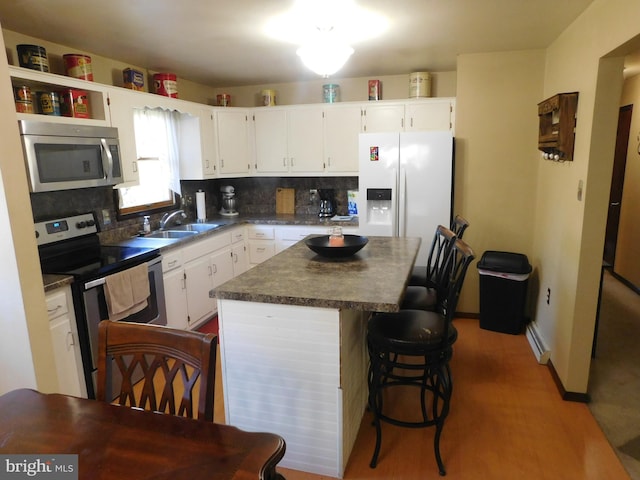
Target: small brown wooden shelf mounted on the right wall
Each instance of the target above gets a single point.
(557, 126)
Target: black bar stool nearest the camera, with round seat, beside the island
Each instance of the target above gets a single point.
(413, 348)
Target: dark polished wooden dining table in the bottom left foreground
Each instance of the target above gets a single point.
(115, 442)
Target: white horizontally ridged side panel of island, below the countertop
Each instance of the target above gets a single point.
(281, 374)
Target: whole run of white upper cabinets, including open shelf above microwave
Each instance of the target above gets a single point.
(218, 142)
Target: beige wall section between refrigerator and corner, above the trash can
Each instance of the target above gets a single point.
(496, 154)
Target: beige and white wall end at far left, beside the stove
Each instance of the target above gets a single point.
(26, 353)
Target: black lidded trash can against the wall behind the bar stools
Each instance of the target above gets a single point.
(504, 278)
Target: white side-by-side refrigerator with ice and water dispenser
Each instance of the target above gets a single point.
(405, 185)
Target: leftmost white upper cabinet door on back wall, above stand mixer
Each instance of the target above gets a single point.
(232, 133)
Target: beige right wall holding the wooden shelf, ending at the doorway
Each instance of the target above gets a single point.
(569, 232)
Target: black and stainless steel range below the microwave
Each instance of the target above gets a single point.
(70, 246)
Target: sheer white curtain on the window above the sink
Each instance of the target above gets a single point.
(157, 136)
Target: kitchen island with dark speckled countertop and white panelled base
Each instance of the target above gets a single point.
(293, 350)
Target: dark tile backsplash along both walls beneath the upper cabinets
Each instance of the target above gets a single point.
(255, 195)
